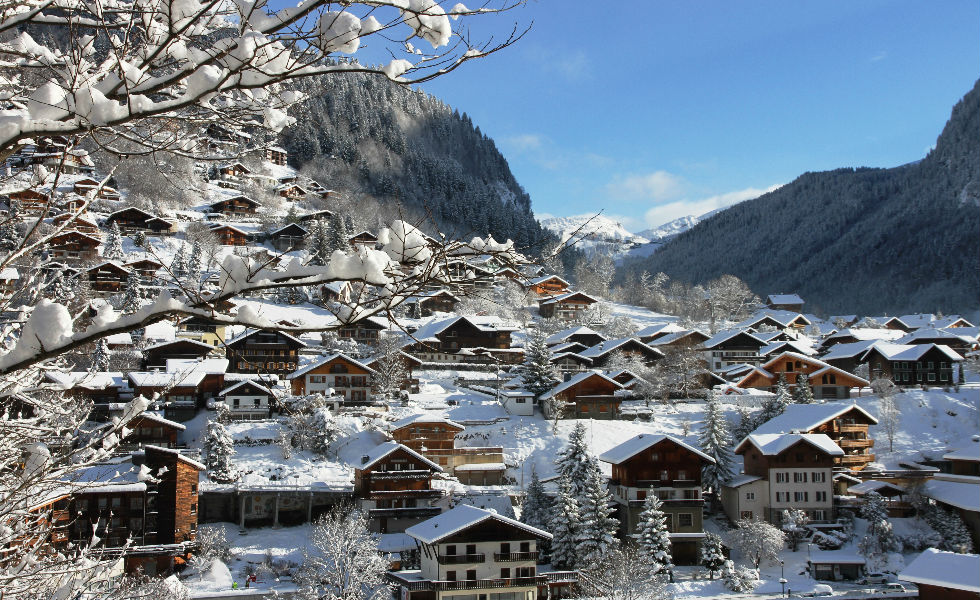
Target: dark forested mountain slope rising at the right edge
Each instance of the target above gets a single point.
(863, 240)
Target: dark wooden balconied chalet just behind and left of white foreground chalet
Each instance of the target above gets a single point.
(393, 484)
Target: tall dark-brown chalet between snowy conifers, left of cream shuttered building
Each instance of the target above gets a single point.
(668, 468)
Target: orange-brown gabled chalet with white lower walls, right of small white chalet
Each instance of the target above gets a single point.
(347, 377)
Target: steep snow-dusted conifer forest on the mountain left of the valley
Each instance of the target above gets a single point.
(368, 135)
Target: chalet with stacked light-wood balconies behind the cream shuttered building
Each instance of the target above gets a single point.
(845, 424)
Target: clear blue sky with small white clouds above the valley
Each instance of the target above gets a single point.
(654, 110)
